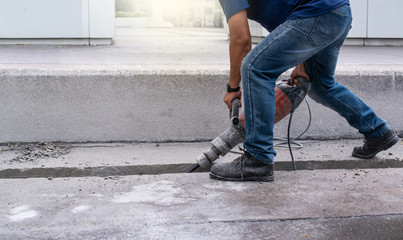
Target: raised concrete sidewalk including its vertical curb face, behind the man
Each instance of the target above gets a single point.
(159, 85)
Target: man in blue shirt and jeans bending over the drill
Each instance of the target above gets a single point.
(307, 35)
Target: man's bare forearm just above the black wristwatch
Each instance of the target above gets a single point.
(238, 50)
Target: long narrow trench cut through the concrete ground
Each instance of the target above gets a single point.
(102, 171)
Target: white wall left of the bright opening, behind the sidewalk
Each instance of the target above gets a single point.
(57, 19)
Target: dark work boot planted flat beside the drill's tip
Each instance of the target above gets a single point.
(244, 168)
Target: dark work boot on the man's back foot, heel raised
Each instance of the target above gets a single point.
(372, 147)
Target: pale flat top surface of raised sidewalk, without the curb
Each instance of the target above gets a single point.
(176, 47)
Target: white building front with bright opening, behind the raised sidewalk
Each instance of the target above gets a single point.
(376, 22)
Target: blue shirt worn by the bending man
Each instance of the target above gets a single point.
(271, 13)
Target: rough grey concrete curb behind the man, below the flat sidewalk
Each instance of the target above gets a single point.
(159, 103)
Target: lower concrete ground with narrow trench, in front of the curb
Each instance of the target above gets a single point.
(91, 191)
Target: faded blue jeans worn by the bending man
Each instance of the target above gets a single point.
(315, 41)
